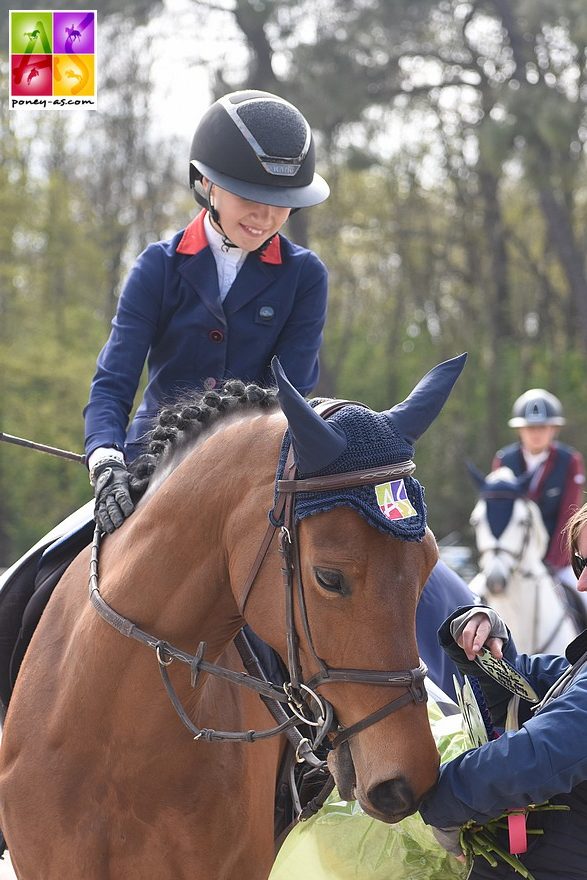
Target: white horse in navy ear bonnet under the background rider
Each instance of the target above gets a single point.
(512, 541)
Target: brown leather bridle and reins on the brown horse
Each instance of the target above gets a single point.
(306, 706)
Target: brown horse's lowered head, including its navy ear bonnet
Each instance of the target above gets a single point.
(364, 554)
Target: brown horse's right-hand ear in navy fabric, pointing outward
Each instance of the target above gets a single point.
(417, 412)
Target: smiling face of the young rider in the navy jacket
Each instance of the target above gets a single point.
(246, 224)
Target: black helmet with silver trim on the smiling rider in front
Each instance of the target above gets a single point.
(259, 147)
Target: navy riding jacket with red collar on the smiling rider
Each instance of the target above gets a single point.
(171, 316)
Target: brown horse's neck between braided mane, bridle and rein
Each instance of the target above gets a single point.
(169, 568)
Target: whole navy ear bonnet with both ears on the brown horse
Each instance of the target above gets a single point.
(355, 438)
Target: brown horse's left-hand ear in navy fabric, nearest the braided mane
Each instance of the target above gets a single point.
(316, 442)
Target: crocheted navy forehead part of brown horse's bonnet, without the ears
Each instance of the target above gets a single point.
(372, 441)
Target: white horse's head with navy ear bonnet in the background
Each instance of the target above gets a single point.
(509, 530)
